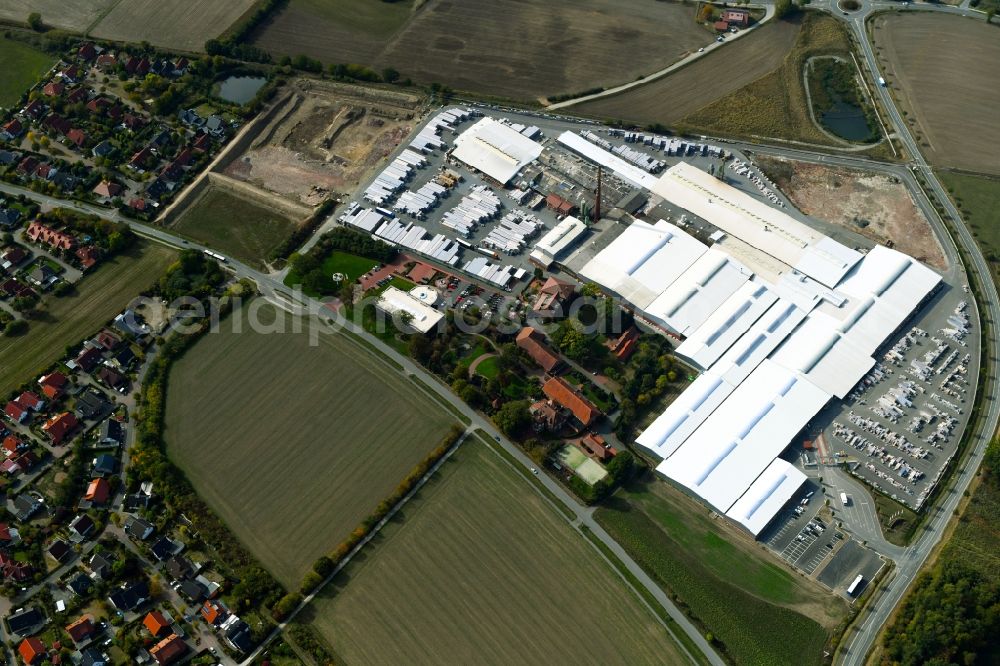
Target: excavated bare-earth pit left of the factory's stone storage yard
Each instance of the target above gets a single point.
(328, 137)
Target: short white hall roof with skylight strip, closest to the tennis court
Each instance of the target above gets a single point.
(685, 414)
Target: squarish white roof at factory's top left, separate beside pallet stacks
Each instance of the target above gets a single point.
(495, 149)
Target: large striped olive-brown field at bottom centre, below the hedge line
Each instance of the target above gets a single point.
(482, 569)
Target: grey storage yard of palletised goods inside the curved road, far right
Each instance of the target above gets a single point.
(901, 425)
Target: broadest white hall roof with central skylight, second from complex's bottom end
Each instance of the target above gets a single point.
(724, 456)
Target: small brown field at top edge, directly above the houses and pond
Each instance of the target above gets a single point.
(175, 24)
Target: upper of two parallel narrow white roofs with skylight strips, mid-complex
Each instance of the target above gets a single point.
(727, 324)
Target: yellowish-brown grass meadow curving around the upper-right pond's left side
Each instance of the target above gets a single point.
(775, 106)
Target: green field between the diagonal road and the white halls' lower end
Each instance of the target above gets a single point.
(725, 582)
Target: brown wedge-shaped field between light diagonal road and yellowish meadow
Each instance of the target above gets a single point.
(669, 99)
